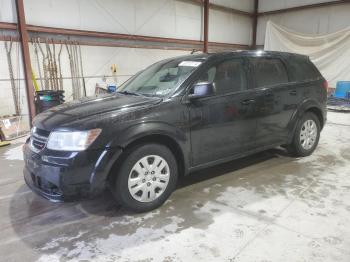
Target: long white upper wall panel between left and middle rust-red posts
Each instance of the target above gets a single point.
(162, 18)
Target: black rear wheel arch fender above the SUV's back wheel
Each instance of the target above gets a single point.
(299, 111)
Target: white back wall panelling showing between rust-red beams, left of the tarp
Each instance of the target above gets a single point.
(161, 18)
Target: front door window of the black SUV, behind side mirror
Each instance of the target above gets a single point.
(227, 76)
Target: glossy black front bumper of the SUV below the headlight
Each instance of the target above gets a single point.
(65, 176)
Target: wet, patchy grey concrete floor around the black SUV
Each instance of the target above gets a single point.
(266, 207)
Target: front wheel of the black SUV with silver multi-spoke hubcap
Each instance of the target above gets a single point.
(140, 184)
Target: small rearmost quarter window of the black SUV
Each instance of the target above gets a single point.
(303, 69)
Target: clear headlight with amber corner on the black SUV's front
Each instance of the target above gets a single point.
(72, 140)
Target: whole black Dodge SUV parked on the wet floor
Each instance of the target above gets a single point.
(176, 116)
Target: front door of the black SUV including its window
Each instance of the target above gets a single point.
(224, 124)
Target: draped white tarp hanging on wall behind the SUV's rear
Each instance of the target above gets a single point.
(330, 52)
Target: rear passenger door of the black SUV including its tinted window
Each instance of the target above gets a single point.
(277, 98)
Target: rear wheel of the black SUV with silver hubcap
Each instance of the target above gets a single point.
(306, 136)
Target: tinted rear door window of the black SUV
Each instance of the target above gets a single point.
(269, 71)
